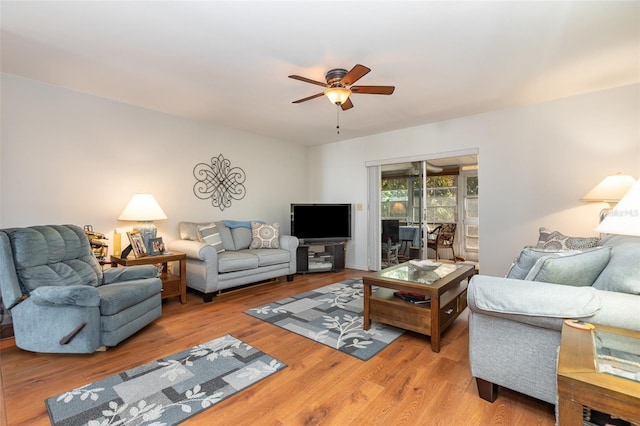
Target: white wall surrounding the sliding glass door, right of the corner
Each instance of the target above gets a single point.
(536, 162)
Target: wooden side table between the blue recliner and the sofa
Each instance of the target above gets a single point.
(172, 285)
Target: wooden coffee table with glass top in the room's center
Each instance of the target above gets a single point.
(445, 285)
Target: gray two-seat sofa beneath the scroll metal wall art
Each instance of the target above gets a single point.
(227, 260)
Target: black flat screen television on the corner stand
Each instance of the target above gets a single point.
(321, 222)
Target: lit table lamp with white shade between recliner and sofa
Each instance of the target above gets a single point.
(144, 209)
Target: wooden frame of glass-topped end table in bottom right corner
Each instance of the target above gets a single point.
(581, 384)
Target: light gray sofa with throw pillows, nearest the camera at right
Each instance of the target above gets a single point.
(515, 323)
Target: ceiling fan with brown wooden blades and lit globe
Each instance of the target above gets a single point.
(339, 86)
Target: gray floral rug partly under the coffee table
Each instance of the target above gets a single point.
(330, 315)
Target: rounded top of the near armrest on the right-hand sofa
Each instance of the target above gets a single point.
(531, 298)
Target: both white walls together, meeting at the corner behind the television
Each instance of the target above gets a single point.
(72, 158)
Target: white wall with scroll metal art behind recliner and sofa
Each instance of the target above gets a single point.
(68, 157)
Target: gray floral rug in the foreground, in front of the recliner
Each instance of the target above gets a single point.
(166, 391)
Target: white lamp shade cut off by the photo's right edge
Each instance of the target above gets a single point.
(624, 219)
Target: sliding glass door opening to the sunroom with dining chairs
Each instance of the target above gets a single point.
(421, 194)
